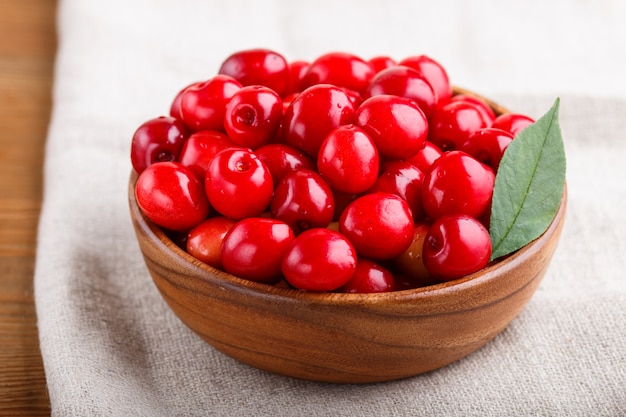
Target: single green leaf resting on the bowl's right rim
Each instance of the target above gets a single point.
(529, 185)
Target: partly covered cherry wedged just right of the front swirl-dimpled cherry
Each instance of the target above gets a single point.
(282, 159)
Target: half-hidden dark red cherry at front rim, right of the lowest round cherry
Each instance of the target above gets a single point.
(369, 277)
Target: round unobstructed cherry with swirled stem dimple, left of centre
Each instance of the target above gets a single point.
(238, 184)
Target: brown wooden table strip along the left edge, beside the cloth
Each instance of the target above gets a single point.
(27, 48)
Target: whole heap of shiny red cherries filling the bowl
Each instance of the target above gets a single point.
(339, 174)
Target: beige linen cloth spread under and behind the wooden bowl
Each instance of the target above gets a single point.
(110, 345)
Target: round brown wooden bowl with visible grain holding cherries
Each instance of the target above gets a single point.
(336, 337)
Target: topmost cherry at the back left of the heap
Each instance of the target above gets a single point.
(258, 67)
